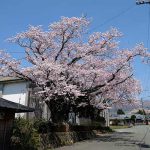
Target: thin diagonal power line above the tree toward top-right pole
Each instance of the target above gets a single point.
(112, 18)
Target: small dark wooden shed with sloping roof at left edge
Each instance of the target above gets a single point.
(7, 115)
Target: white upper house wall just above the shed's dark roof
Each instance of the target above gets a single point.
(15, 92)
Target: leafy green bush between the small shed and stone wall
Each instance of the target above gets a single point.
(24, 137)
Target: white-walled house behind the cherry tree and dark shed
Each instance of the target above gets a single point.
(20, 91)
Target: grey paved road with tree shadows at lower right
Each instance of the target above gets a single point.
(135, 138)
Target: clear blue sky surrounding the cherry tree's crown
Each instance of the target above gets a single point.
(129, 18)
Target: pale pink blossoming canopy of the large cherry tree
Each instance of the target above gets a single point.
(69, 65)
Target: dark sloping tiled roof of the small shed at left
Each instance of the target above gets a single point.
(16, 107)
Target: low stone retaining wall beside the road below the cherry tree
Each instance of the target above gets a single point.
(57, 139)
